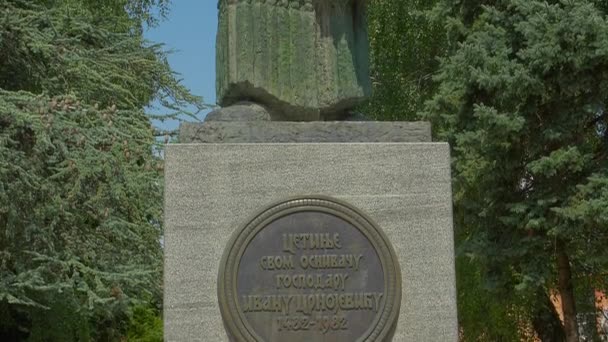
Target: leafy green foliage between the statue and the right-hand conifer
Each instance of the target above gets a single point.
(404, 45)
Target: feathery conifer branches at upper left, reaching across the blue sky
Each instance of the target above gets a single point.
(55, 51)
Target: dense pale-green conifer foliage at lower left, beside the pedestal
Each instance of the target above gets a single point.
(81, 199)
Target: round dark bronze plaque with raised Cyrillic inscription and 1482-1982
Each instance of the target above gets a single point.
(309, 269)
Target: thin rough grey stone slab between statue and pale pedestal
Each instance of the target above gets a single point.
(304, 132)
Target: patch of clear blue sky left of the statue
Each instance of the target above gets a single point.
(190, 31)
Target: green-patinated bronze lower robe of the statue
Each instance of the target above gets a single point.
(301, 59)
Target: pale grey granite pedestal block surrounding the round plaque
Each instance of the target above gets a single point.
(405, 188)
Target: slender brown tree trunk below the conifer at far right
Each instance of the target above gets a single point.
(566, 291)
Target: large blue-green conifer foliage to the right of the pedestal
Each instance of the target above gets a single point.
(522, 100)
